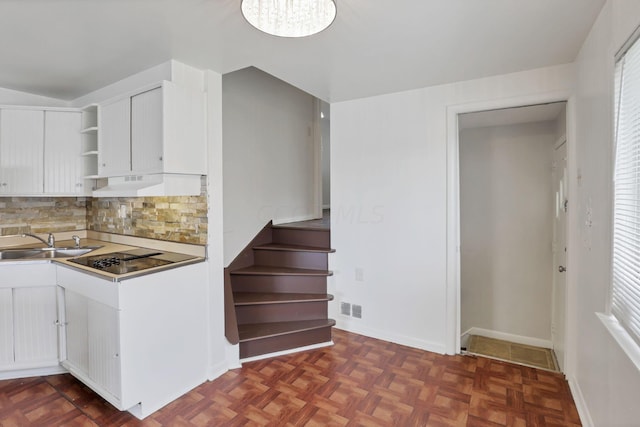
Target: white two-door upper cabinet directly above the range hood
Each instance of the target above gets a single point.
(161, 130)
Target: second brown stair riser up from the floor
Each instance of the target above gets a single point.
(268, 313)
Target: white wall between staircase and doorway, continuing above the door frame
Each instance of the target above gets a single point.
(389, 202)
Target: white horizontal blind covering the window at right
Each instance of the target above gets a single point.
(625, 299)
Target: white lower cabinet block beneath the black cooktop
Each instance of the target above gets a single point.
(139, 343)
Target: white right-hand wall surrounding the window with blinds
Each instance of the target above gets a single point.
(608, 384)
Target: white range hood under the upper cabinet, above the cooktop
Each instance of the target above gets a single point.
(150, 185)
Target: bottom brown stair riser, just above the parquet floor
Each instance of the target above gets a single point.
(284, 342)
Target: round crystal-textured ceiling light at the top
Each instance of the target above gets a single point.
(289, 18)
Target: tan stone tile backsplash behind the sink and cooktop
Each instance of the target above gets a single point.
(177, 219)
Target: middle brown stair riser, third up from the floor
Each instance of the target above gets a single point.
(276, 284)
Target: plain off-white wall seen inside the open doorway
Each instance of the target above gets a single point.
(506, 223)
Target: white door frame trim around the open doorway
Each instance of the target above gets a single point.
(453, 214)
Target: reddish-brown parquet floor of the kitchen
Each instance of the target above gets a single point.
(359, 381)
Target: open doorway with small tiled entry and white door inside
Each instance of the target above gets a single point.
(512, 205)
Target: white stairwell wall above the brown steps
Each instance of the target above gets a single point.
(268, 155)
